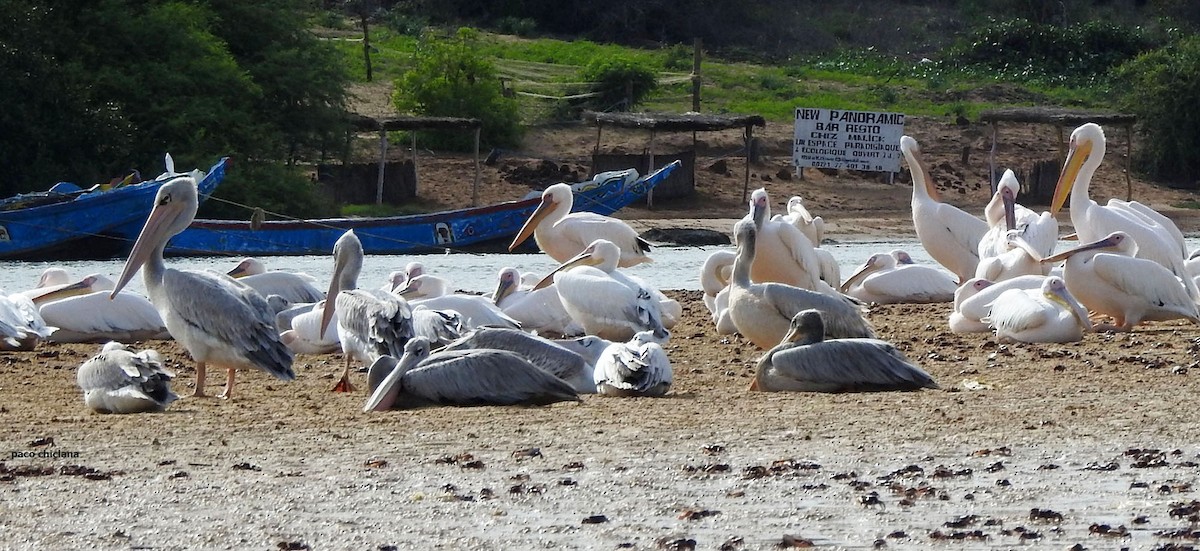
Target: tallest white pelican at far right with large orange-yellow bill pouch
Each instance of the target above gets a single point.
(1159, 239)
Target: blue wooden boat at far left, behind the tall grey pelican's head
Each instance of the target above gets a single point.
(74, 224)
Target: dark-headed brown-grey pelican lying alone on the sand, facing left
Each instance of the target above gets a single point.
(807, 363)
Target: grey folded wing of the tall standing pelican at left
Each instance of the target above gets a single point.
(214, 303)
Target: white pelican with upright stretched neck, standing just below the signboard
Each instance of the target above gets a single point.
(950, 236)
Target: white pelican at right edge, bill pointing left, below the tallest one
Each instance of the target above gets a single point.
(1108, 279)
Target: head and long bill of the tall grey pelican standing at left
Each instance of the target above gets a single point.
(175, 208)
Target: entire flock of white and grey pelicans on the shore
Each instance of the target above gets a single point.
(427, 346)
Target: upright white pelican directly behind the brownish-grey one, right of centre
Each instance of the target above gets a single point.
(785, 255)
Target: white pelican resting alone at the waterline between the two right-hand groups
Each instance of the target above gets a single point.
(883, 282)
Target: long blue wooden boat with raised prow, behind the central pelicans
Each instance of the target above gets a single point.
(452, 230)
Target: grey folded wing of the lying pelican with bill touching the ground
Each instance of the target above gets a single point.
(483, 378)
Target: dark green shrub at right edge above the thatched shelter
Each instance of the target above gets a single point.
(1163, 88)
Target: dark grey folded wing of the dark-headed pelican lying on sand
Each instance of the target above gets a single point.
(849, 366)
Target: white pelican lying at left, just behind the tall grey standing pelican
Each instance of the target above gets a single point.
(83, 313)
